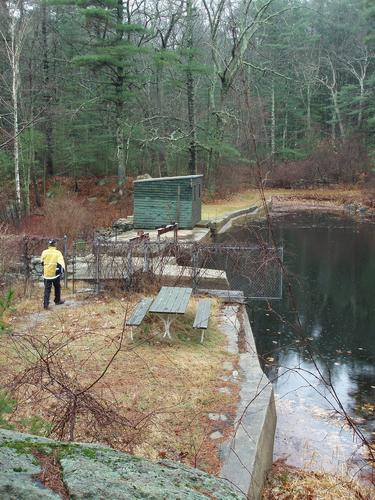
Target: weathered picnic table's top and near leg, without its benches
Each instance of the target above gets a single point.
(169, 302)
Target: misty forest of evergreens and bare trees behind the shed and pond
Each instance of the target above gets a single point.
(173, 87)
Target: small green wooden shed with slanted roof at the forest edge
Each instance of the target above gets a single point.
(165, 200)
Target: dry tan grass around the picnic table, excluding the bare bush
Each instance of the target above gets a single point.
(165, 389)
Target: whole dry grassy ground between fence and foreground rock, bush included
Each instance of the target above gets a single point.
(156, 396)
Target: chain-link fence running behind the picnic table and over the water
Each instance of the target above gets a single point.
(255, 270)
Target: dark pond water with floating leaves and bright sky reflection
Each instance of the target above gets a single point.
(330, 261)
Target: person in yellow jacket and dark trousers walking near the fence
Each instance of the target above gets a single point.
(53, 269)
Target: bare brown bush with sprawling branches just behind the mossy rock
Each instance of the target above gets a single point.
(75, 402)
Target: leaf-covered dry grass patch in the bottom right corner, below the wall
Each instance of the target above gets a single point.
(289, 483)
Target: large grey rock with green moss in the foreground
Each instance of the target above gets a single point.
(91, 471)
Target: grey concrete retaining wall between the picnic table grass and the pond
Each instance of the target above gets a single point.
(247, 456)
